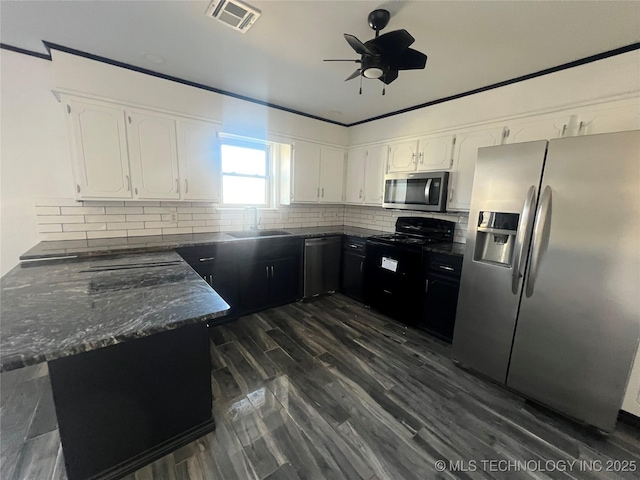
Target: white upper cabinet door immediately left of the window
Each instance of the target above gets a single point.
(198, 155)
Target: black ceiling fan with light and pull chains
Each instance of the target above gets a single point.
(383, 56)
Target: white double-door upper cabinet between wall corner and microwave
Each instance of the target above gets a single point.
(365, 175)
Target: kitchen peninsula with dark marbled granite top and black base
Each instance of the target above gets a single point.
(125, 338)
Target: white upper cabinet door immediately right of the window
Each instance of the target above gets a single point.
(306, 173)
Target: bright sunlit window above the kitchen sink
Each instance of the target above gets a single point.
(245, 172)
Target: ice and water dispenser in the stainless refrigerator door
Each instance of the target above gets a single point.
(495, 238)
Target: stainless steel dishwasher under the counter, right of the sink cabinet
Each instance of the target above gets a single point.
(321, 265)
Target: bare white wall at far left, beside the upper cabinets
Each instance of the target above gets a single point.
(34, 152)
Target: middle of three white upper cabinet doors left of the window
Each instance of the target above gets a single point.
(153, 154)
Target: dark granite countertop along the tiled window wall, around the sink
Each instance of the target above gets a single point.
(161, 243)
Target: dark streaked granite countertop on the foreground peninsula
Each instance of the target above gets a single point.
(63, 308)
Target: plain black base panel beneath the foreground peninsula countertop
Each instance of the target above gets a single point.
(121, 407)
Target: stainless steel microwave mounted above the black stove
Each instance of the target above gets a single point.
(416, 191)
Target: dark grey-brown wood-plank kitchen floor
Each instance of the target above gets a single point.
(330, 389)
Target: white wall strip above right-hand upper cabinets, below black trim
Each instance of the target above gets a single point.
(603, 79)
